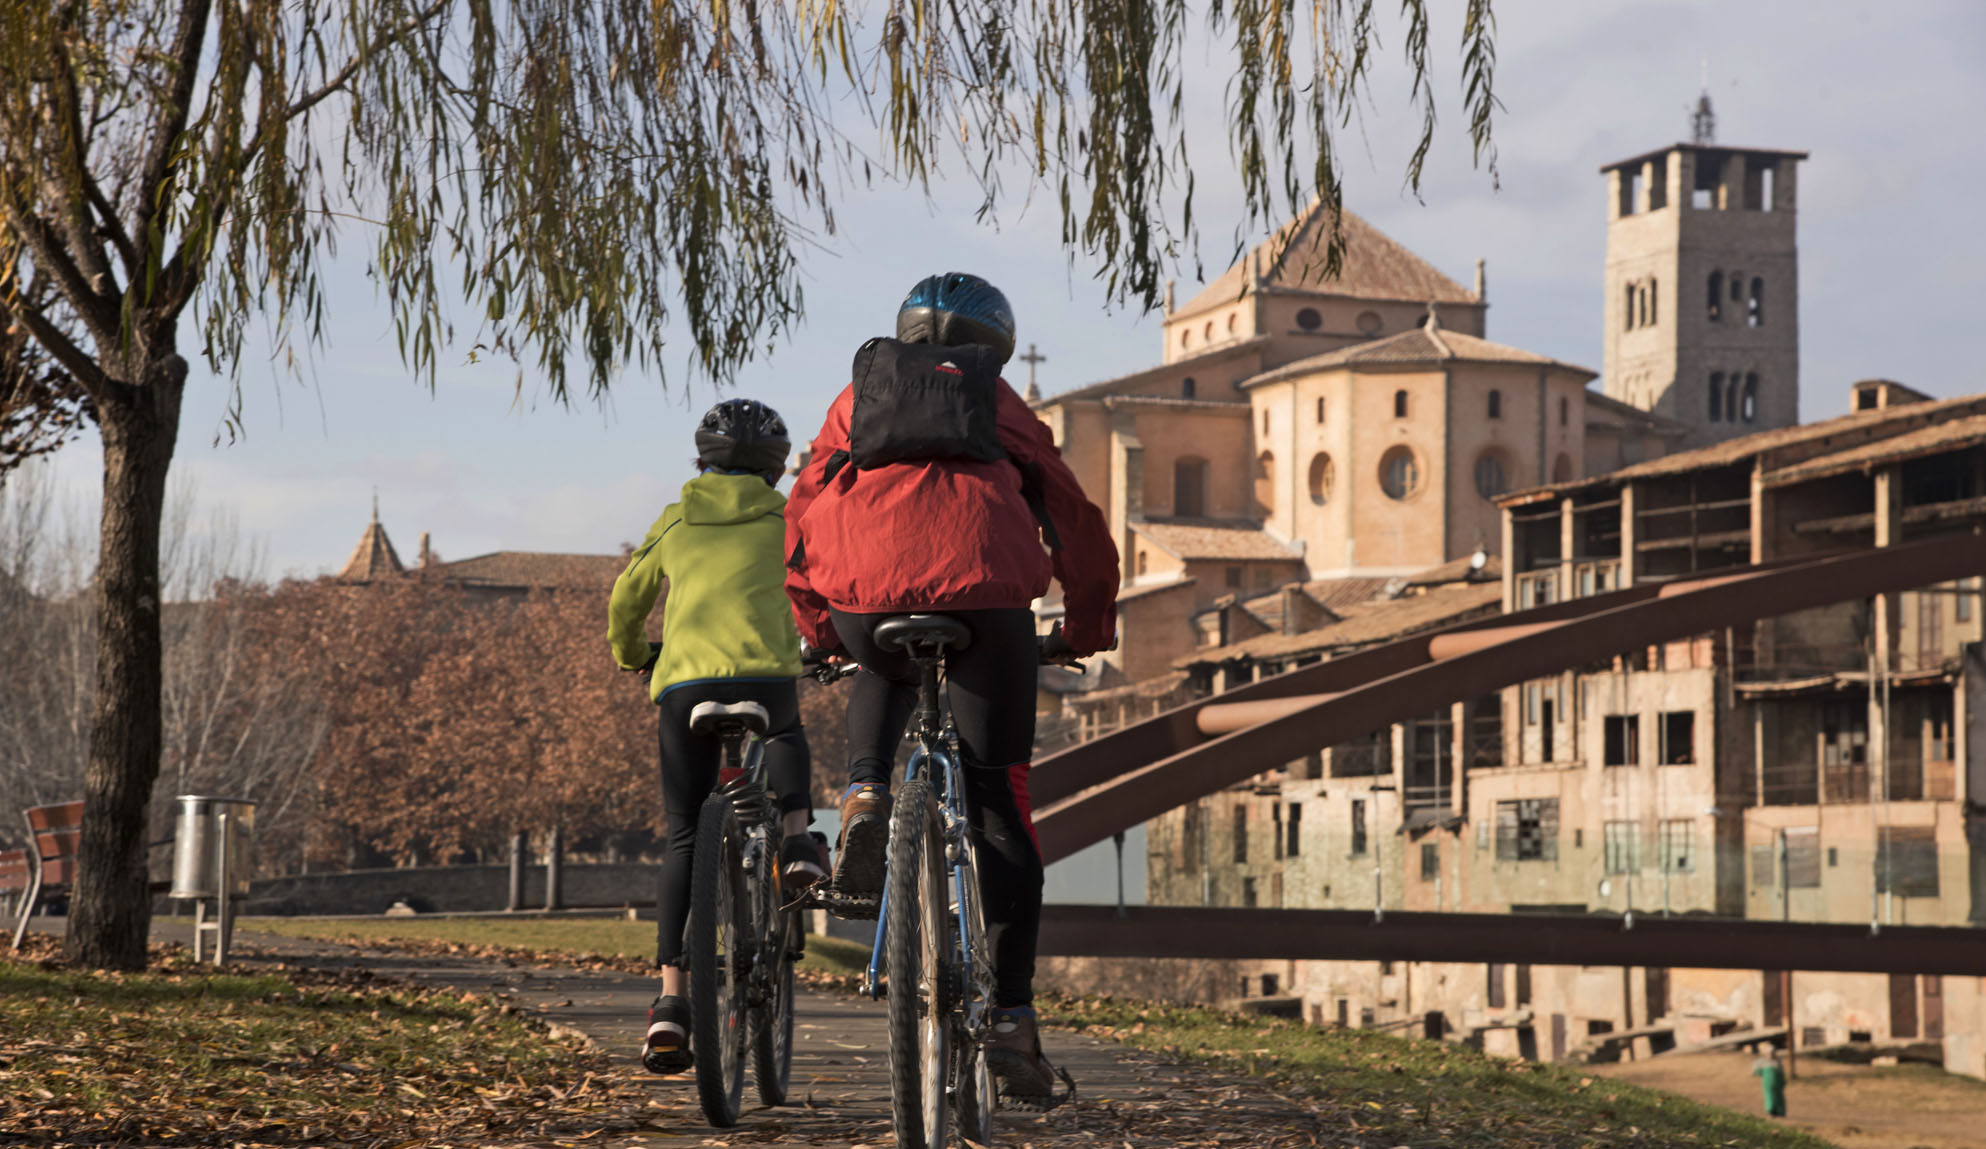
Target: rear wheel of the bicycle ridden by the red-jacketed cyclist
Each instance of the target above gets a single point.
(917, 948)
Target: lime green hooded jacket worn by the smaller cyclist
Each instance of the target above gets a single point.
(724, 555)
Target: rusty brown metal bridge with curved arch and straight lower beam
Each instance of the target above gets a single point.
(1099, 789)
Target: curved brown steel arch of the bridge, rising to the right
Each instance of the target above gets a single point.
(1169, 763)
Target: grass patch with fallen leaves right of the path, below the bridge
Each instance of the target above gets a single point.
(1417, 1092)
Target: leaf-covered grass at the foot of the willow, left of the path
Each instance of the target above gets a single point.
(182, 1055)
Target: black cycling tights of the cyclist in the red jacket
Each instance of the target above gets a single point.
(992, 690)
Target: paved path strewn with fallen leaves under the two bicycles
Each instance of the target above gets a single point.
(841, 1067)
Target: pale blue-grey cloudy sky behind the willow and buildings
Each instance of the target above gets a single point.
(1890, 247)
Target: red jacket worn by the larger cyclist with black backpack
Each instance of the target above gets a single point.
(946, 535)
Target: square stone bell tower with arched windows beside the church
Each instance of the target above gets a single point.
(1703, 285)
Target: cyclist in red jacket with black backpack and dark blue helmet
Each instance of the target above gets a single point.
(932, 487)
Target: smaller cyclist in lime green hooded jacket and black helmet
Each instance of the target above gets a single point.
(728, 636)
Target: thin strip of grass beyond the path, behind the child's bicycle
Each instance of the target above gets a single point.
(581, 942)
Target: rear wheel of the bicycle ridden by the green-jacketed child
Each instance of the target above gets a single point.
(716, 940)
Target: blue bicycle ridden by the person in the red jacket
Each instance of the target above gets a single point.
(930, 938)
